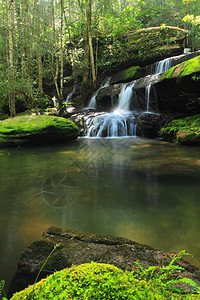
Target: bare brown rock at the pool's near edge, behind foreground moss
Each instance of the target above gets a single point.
(76, 248)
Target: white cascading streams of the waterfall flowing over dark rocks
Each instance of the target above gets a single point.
(121, 121)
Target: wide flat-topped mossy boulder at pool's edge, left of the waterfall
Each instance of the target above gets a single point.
(35, 130)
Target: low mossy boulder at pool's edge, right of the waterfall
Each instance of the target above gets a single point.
(185, 131)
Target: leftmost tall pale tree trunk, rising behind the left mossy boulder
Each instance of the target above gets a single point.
(12, 78)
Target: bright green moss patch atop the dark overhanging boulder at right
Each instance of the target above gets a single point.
(186, 68)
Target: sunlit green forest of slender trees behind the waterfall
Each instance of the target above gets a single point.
(47, 45)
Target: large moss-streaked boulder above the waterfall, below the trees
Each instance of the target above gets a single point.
(140, 47)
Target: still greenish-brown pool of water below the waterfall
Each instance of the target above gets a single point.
(144, 190)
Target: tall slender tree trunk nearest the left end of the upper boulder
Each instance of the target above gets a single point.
(88, 16)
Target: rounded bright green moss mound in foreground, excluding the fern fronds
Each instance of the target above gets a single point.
(95, 281)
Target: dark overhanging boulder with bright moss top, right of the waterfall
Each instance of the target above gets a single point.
(179, 88)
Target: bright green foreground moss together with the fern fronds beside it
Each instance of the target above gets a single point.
(103, 281)
